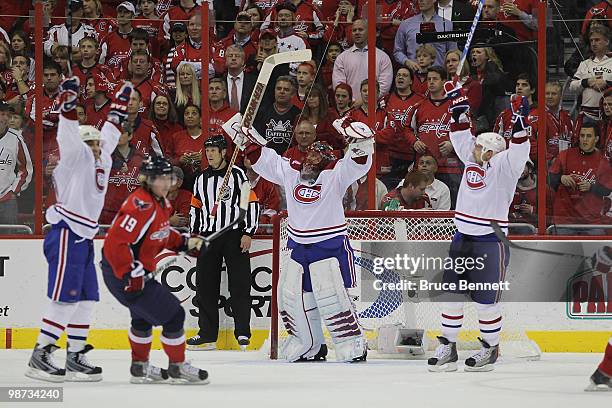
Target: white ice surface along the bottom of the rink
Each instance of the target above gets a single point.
(248, 380)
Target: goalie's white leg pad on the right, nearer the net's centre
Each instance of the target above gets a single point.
(337, 310)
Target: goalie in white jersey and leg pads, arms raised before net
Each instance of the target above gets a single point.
(321, 266)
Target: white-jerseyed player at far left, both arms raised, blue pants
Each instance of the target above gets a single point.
(81, 179)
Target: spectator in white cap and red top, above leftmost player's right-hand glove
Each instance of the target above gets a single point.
(116, 45)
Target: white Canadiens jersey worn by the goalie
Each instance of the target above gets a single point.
(315, 210)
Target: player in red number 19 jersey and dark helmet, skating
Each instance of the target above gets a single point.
(140, 231)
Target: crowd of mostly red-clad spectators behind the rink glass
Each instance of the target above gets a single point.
(156, 44)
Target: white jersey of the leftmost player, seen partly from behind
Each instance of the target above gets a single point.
(81, 181)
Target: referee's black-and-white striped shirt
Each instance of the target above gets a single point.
(205, 191)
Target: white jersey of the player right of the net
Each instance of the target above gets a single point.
(485, 193)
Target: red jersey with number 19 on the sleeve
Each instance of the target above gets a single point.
(139, 233)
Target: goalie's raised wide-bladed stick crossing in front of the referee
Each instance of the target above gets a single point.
(251, 110)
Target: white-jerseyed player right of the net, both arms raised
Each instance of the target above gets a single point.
(486, 191)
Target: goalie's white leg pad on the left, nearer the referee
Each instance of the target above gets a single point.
(292, 307)
